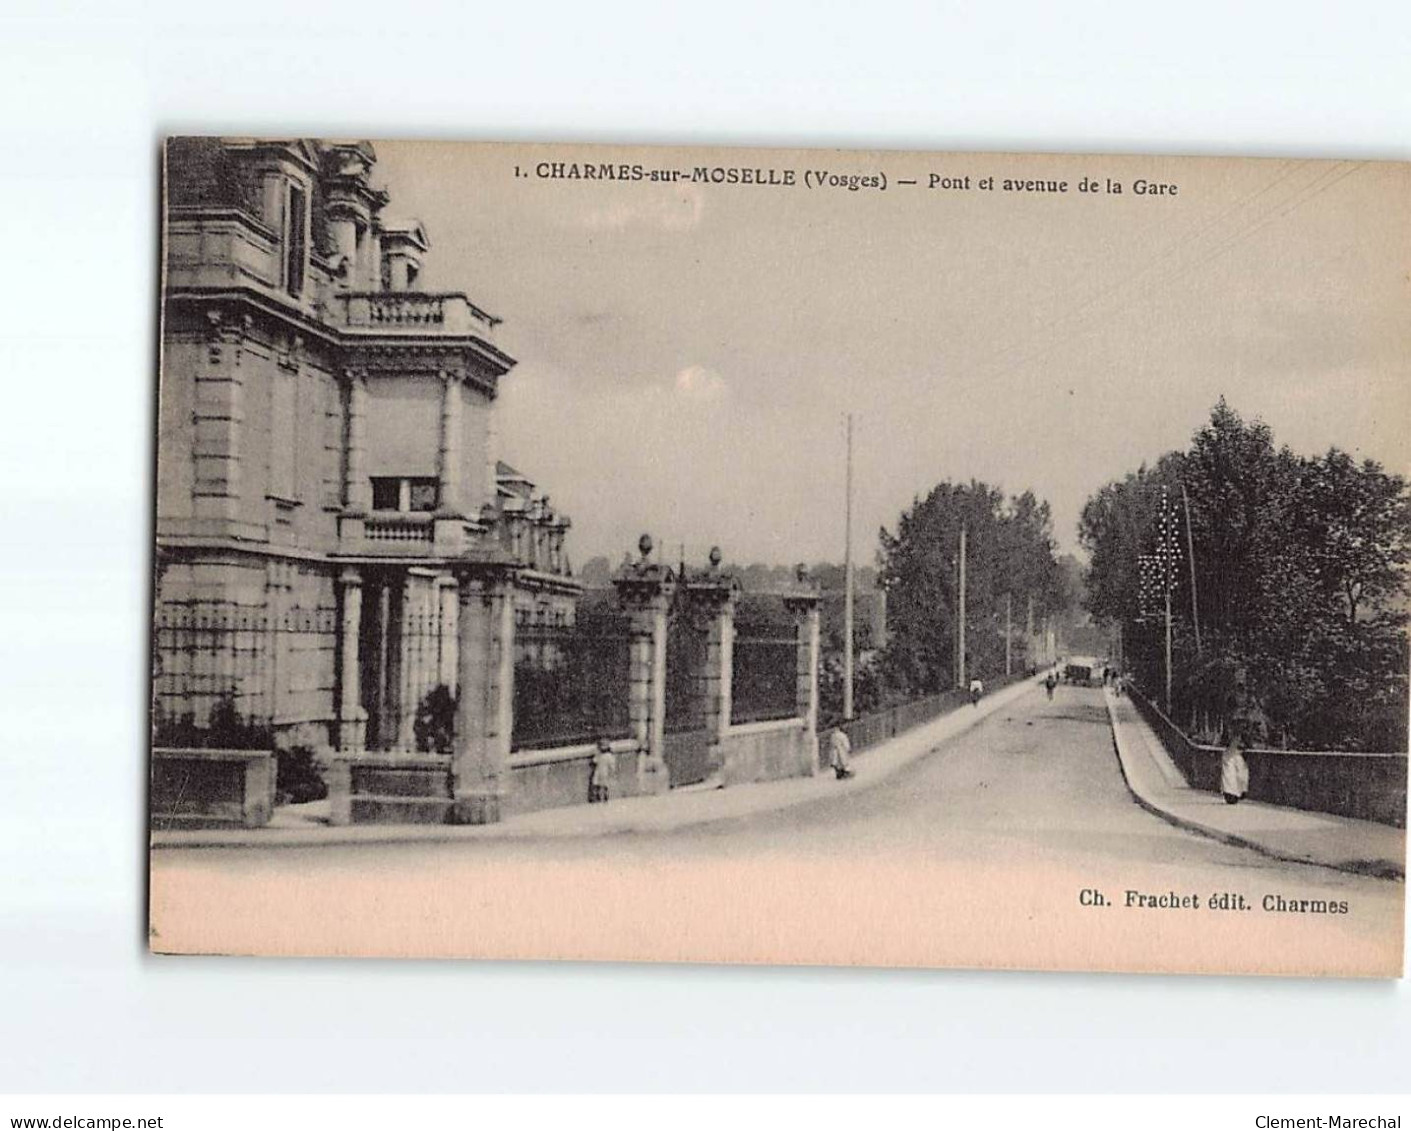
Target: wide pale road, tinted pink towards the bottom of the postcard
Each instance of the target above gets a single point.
(979, 855)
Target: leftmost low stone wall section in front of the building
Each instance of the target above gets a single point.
(194, 789)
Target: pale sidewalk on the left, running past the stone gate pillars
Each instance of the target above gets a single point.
(677, 810)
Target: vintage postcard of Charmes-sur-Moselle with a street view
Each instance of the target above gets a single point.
(747, 556)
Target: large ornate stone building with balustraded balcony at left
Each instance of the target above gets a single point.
(329, 497)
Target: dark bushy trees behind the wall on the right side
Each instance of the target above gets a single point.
(1300, 583)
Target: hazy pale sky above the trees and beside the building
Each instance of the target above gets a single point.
(688, 355)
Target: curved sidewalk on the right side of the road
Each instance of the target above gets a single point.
(1297, 836)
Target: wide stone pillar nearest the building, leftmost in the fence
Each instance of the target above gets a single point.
(485, 709)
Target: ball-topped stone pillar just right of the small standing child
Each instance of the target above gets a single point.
(646, 594)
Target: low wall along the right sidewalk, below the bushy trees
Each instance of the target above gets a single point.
(1368, 786)
